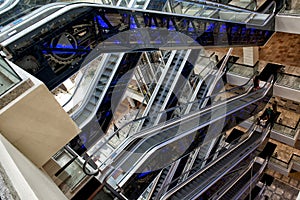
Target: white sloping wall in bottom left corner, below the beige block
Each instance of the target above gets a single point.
(28, 181)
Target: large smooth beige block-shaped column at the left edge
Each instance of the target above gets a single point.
(36, 124)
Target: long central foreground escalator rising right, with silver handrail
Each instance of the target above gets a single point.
(152, 153)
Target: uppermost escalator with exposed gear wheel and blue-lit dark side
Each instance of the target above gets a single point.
(59, 44)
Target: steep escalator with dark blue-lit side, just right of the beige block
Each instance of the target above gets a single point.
(97, 123)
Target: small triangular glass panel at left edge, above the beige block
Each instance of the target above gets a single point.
(8, 78)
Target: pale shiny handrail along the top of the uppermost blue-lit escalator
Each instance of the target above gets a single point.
(75, 5)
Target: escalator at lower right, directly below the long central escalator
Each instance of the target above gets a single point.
(203, 179)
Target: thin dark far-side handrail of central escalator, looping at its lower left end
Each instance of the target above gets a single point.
(142, 118)
